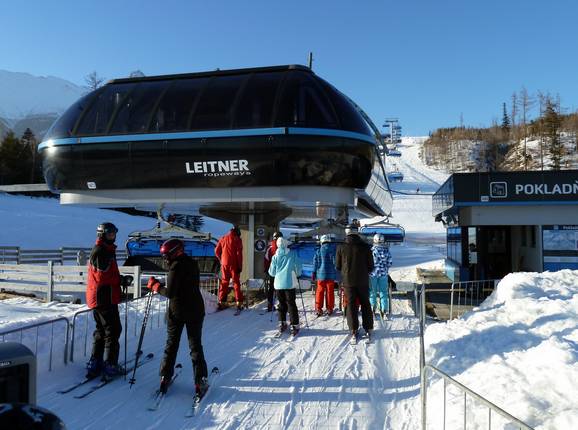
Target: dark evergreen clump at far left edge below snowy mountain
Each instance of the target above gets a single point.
(15, 161)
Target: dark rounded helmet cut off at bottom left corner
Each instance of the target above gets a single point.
(24, 416)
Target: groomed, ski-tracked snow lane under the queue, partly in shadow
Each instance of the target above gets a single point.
(317, 380)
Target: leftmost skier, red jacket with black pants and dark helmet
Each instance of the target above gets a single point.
(103, 294)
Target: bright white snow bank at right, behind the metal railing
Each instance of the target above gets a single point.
(519, 349)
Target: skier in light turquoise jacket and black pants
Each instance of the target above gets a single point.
(285, 267)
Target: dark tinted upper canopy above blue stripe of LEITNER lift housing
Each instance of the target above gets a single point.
(282, 96)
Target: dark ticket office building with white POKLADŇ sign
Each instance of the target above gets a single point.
(503, 222)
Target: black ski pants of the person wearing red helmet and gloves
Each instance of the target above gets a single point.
(194, 334)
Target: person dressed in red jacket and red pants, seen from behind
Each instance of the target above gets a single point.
(229, 251)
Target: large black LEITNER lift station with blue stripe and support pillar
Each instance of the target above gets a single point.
(252, 147)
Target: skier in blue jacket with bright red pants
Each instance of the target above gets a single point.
(325, 274)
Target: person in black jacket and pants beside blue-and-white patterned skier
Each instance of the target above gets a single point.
(355, 262)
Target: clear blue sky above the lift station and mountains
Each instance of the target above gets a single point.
(425, 62)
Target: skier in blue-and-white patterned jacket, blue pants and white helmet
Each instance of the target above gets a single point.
(379, 277)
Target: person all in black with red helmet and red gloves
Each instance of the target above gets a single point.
(186, 308)
